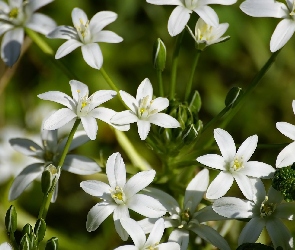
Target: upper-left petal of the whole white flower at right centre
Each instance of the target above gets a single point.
(225, 143)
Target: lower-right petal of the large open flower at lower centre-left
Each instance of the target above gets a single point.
(146, 206)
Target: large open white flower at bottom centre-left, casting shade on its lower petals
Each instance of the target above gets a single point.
(119, 196)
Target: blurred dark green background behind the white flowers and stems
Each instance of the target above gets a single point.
(222, 66)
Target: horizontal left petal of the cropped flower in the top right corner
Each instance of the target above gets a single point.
(264, 8)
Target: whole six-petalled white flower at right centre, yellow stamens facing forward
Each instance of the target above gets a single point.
(234, 165)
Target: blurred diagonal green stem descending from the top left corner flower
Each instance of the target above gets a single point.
(46, 49)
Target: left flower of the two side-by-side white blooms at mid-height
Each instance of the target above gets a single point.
(80, 106)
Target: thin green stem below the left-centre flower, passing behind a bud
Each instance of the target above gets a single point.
(47, 197)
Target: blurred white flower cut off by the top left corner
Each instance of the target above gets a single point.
(16, 15)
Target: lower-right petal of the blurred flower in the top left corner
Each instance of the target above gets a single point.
(41, 23)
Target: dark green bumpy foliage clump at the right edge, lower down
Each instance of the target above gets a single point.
(284, 181)
